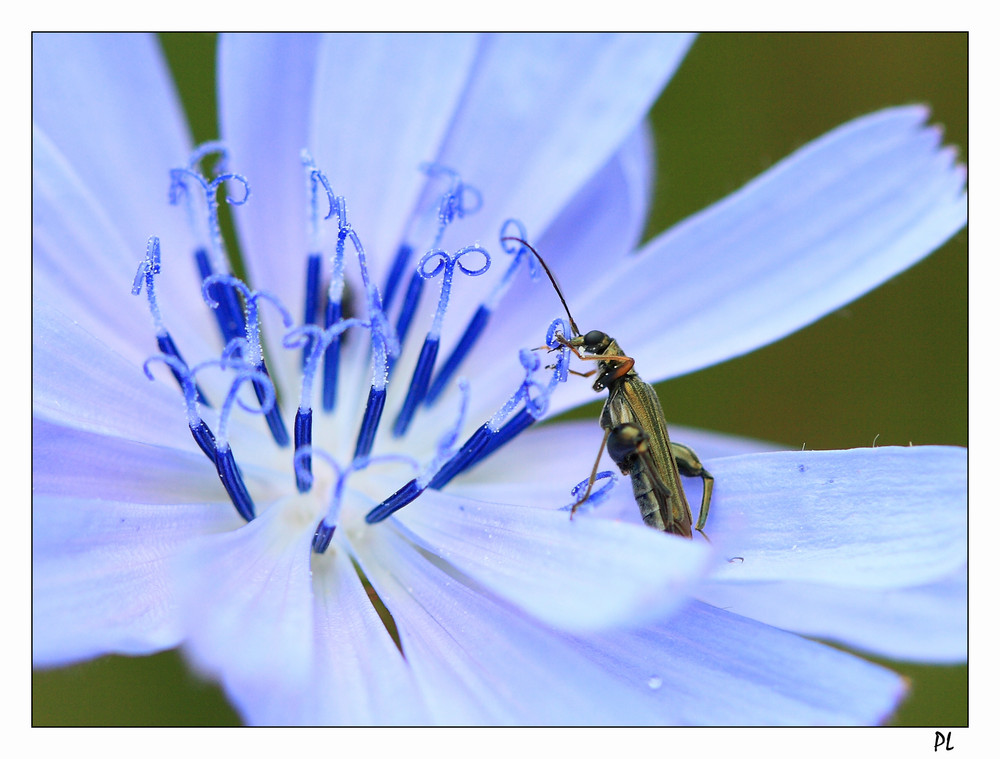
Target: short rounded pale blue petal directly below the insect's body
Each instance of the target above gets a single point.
(578, 575)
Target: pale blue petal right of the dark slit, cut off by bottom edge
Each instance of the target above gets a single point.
(479, 662)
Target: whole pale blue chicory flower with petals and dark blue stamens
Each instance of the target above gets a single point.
(361, 169)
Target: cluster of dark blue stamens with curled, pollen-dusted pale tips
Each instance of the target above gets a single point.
(236, 310)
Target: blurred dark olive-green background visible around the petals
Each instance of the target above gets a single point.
(893, 364)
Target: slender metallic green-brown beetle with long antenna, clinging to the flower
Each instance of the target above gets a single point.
(635, 433)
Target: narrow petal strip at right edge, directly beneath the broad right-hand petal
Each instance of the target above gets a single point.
(924, 623)
